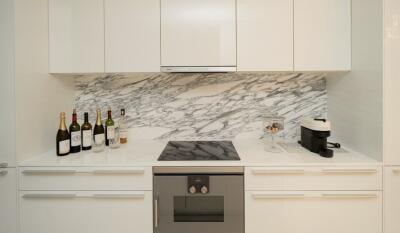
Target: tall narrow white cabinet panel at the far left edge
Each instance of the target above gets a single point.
(7, 103)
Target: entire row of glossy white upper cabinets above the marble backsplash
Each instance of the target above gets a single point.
(121, 36)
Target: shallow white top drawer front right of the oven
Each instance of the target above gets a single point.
(313, 178)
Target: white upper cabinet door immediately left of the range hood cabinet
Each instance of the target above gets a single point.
(132, 36)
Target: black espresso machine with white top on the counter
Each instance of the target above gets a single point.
(314, 136)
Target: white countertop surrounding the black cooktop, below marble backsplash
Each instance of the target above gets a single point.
(251, 152)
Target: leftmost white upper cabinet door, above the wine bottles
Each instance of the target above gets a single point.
(76, 36)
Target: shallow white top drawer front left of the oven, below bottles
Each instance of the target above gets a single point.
(86, 178)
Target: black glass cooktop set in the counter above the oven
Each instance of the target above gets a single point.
(199, 151)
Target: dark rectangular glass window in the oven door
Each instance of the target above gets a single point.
(198, 209)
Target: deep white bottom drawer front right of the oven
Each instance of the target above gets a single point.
(313, 211)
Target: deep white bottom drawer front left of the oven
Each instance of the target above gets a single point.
(86, 212)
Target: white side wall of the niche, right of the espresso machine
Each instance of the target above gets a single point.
(355, 99)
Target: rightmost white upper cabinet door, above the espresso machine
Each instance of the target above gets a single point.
(322, 35)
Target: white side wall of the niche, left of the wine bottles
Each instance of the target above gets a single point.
(39, 96)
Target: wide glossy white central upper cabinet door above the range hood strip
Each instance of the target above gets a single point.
(198, 33)
